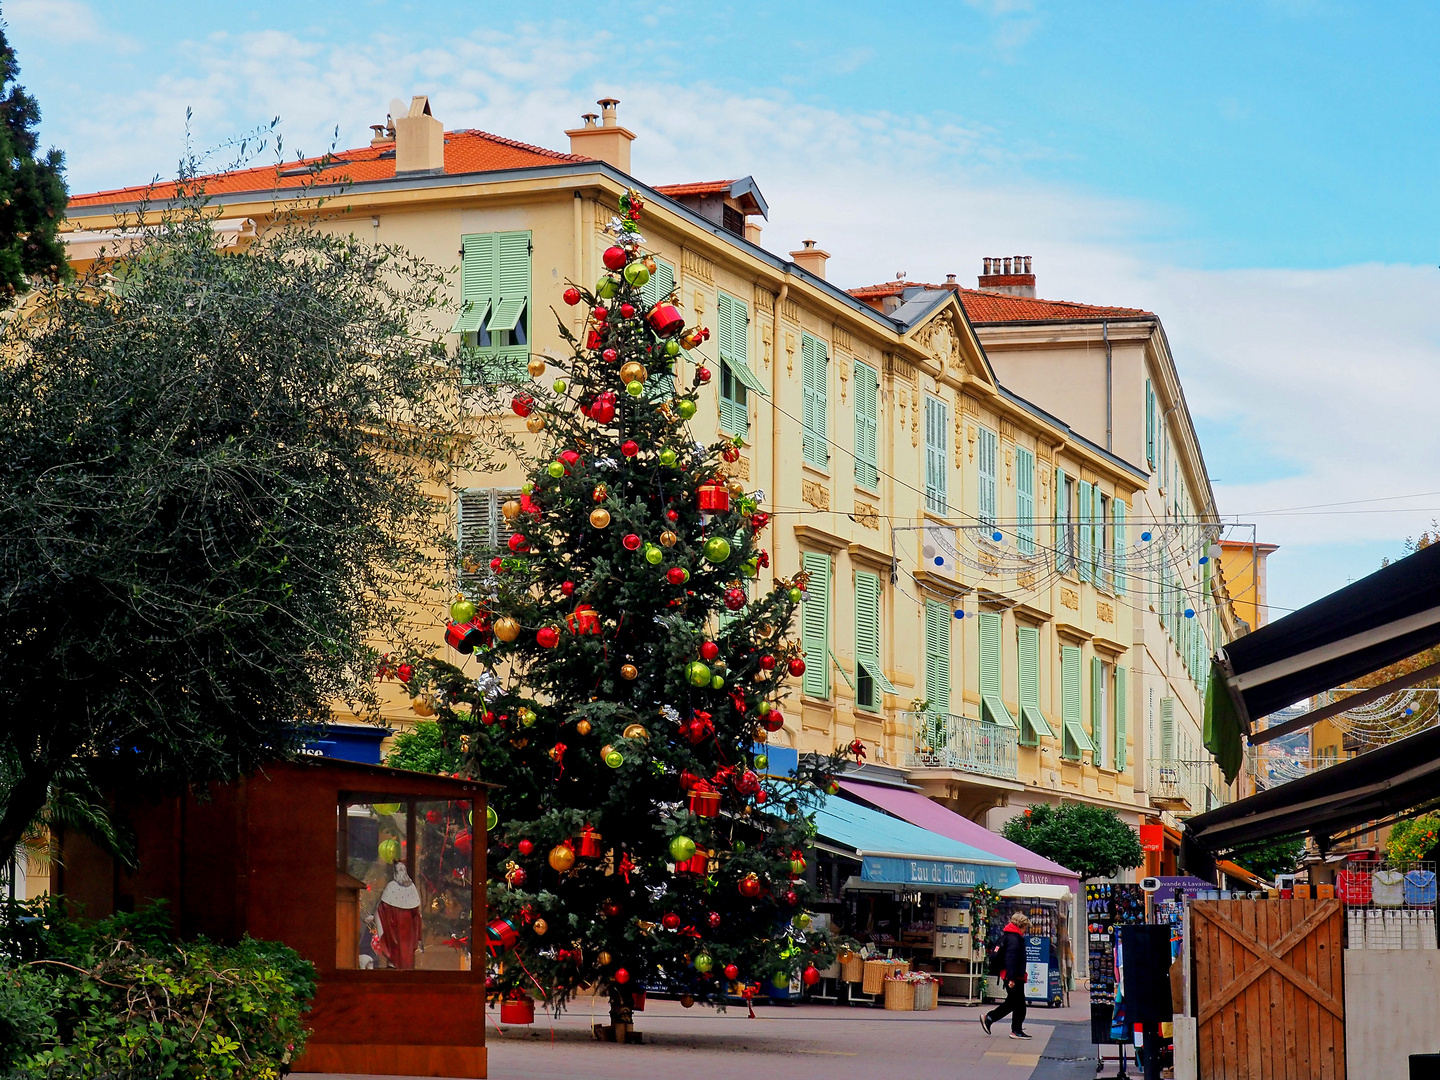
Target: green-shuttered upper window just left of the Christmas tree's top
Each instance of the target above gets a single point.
(495, 320)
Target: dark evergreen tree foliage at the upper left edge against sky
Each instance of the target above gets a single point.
(32, 189)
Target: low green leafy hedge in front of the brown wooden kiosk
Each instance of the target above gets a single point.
(120, 999)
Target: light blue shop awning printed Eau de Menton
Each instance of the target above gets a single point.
(896, 853)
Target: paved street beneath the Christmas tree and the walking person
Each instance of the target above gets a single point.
(798, 1043)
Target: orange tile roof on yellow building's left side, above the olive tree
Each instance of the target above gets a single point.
(466, 152)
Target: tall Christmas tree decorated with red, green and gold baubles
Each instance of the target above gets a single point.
(629, 686)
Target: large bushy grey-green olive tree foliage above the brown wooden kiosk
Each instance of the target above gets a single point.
(217, 492)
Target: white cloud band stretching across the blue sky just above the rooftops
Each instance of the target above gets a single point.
(1331, 374)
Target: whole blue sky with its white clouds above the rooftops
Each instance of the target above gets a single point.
(1261, 175)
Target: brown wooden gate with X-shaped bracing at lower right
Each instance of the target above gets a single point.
(1269, 994)
